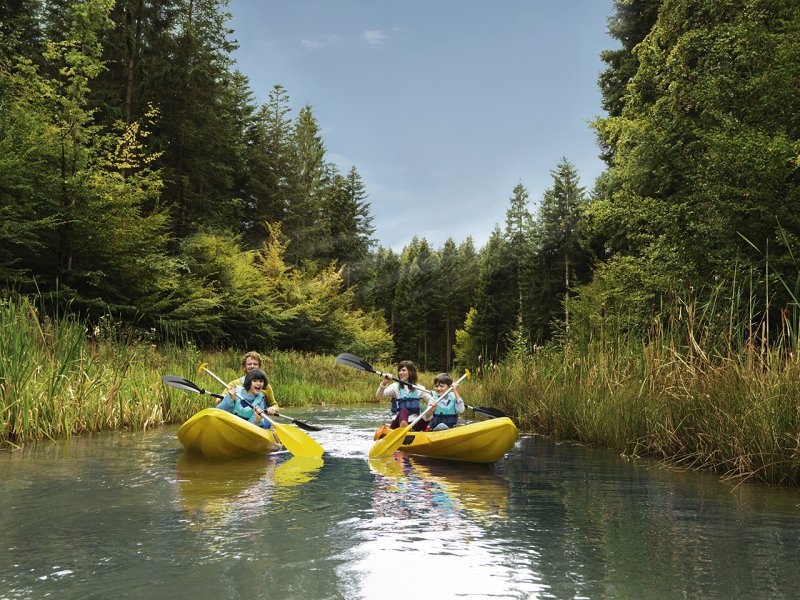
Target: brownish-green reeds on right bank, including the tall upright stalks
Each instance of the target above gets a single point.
(711, 385)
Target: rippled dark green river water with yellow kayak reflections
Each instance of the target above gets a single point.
(130, 515)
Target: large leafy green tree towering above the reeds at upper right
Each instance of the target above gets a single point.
(704, 150)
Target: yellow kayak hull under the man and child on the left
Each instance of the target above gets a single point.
(219, 434)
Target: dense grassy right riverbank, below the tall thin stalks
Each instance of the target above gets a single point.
(738, 416)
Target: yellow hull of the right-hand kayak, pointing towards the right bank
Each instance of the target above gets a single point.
(485, 441)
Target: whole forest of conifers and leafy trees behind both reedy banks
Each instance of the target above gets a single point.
(141, 182)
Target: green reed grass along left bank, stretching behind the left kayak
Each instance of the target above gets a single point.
(58, 378)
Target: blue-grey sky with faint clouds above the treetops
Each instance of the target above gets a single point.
(443, 106)
